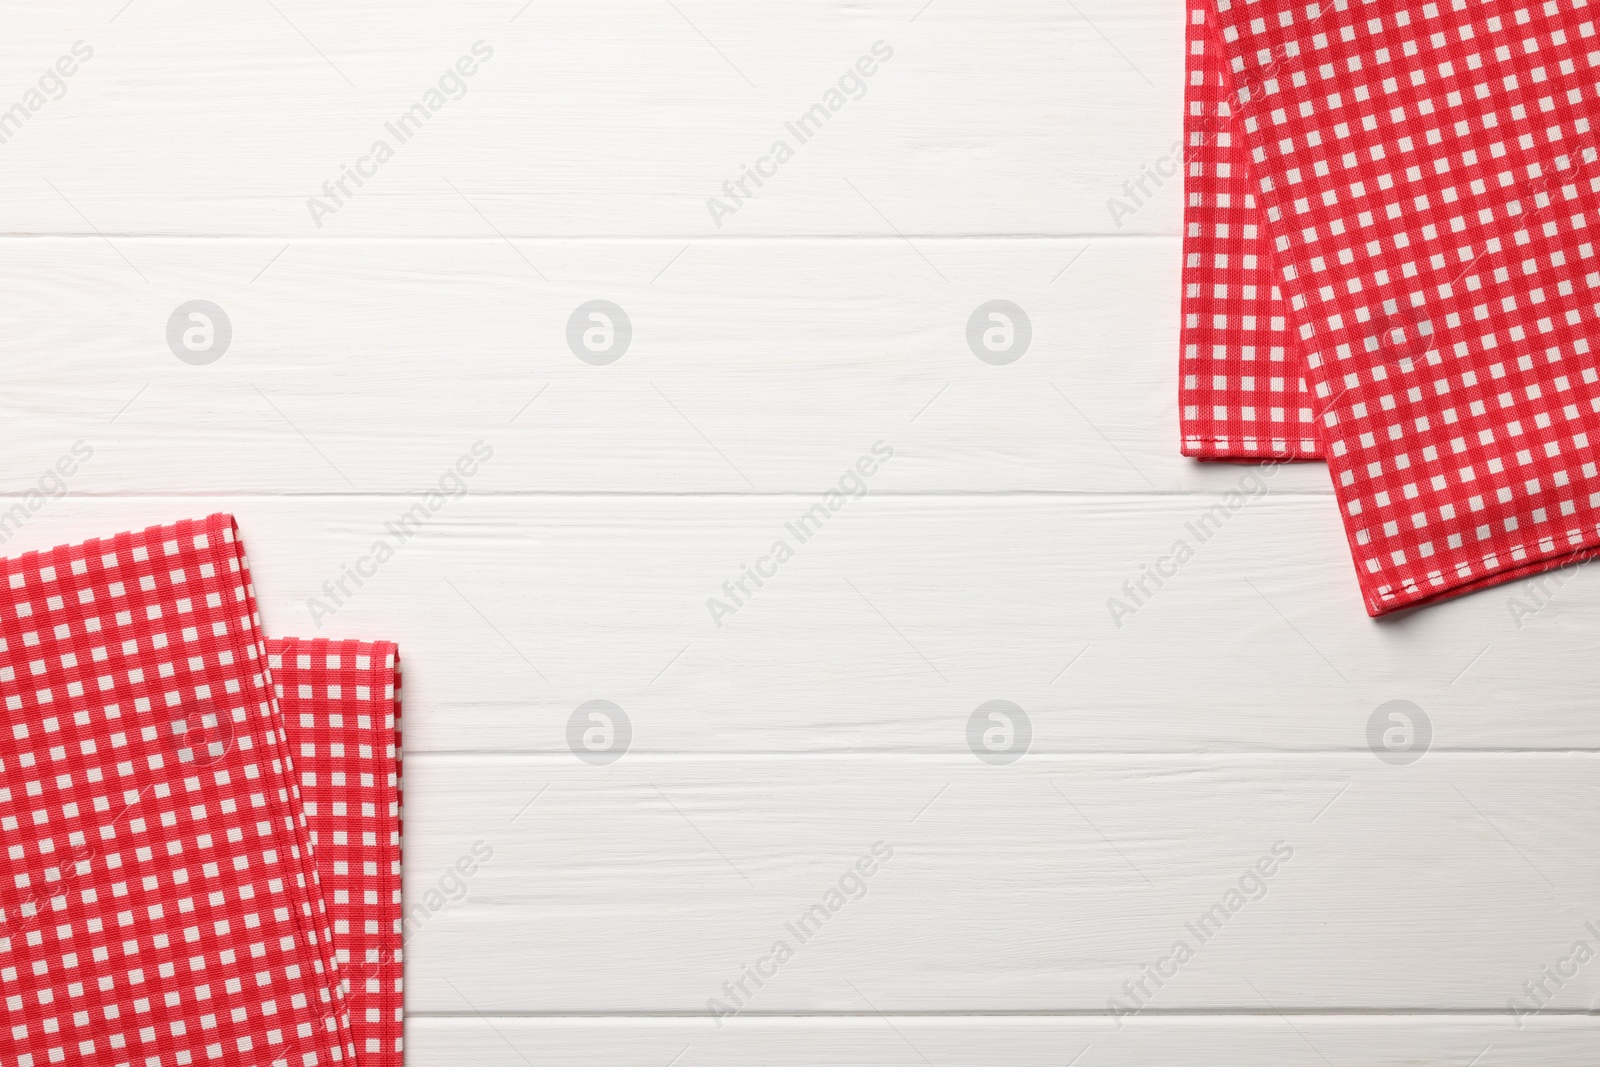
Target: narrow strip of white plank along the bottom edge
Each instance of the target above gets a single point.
(916, 1042)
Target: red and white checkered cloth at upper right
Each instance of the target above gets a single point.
(1390, 263)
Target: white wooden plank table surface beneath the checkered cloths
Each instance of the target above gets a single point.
(775, 342)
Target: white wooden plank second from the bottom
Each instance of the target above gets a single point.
(1050, 885)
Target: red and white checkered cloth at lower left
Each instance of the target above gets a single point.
(162, 807)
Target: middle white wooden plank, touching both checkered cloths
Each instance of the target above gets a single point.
(894, 623)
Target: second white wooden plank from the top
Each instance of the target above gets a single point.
(754, 367)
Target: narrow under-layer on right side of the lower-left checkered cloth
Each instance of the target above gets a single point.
(342, 711)
